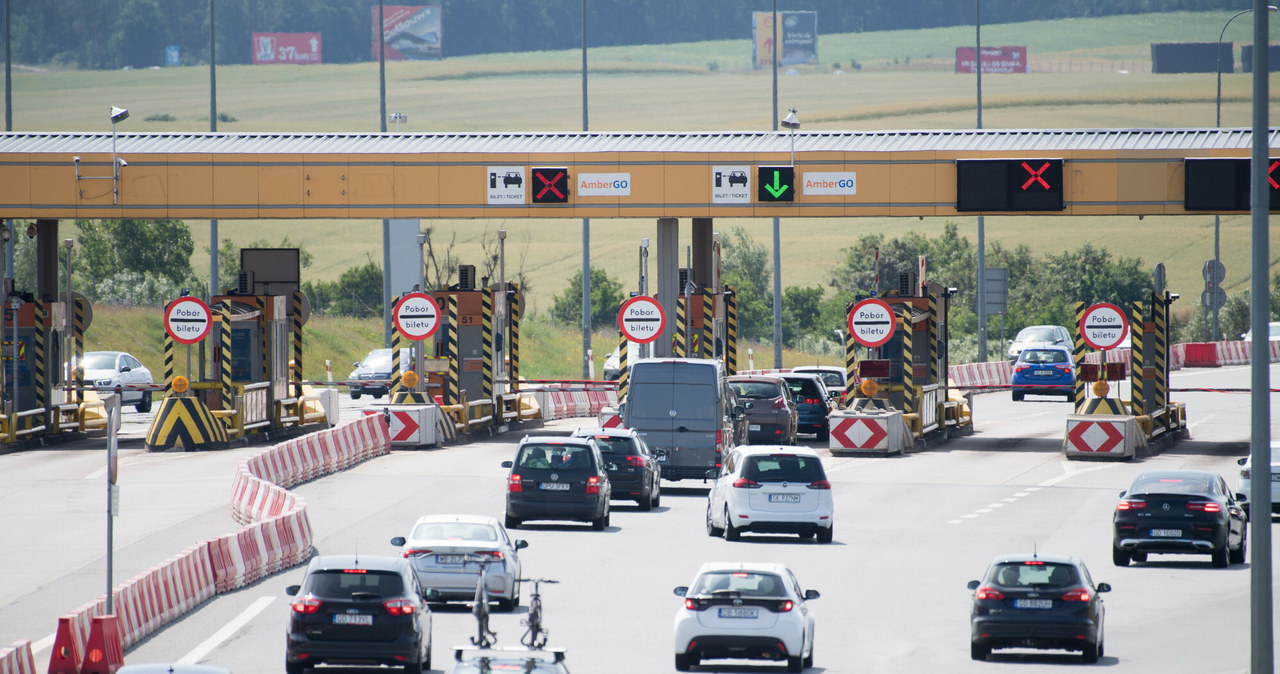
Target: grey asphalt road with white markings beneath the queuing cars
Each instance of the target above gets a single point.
(911, 531)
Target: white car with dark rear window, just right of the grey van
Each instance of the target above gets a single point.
(771, 489)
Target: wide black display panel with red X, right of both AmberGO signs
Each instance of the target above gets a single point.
(1009, 185)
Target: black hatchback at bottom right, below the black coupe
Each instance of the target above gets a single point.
(1037, 602)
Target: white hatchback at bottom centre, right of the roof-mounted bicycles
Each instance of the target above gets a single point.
(744, 611)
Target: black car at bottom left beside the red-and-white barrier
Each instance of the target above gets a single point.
(359, 611)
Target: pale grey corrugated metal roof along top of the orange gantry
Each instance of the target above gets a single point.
(584, 143)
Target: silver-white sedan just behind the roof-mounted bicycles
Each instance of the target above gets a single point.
(445, 552)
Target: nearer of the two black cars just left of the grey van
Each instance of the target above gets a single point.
(559, 479)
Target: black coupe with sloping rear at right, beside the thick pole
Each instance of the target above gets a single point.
(1180, 512)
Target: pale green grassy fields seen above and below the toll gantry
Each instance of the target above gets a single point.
(1089, 74)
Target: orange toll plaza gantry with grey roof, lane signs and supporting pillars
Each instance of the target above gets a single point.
(48, 177)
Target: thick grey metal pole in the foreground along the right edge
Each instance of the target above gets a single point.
(1260, 428)
